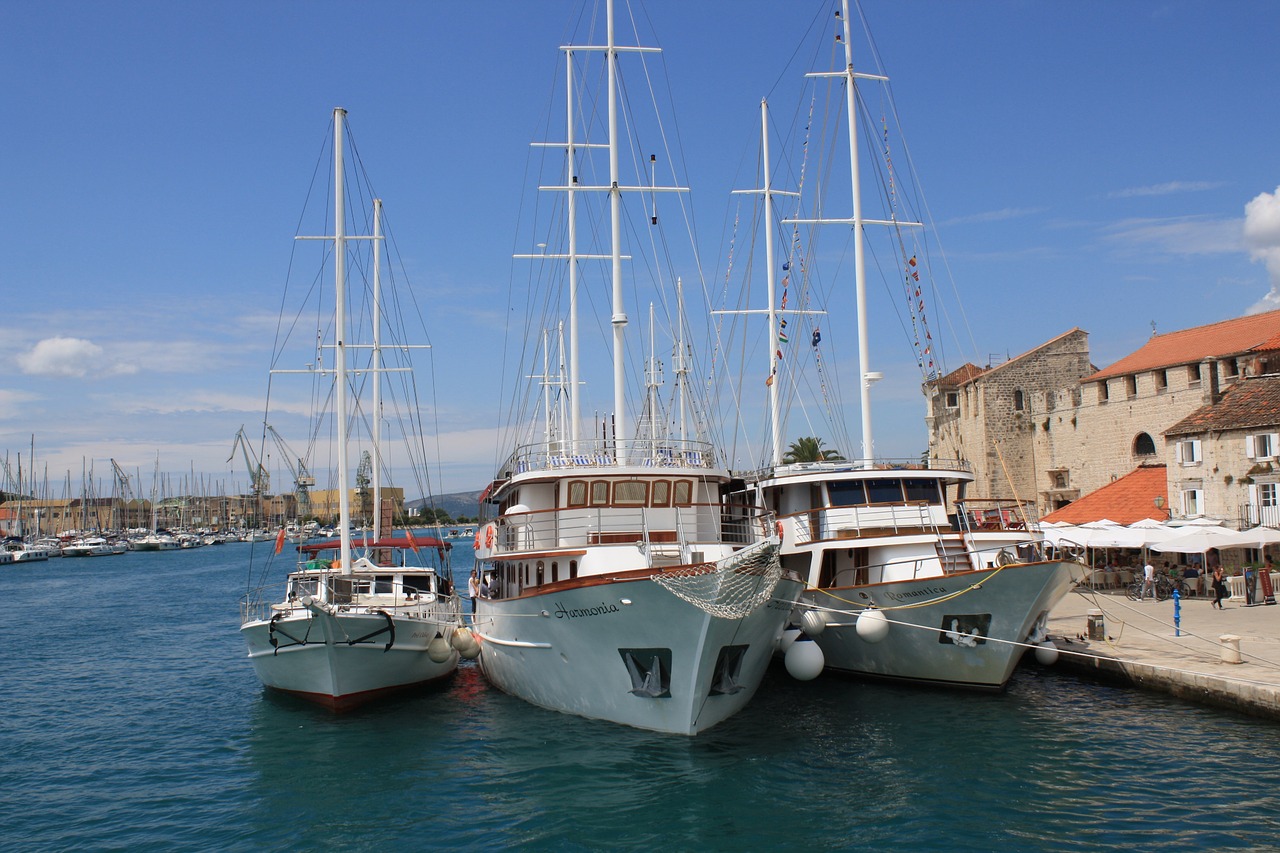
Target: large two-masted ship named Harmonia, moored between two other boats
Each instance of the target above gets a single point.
(623, 585)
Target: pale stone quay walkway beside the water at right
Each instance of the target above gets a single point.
(1144, 647)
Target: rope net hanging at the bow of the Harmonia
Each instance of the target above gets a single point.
(730, 589)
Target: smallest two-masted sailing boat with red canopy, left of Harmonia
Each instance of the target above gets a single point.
(369, 622)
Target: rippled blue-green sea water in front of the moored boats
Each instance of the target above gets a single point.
(131, 720)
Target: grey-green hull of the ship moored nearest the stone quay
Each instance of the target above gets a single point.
(966, 631)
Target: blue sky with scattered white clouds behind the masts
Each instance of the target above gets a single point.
(1089, 165)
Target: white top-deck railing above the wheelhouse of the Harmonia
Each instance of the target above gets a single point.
(601, 454)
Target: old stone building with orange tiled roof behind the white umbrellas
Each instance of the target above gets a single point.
(1048, 426)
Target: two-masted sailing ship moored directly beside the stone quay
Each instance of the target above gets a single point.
(900, 585)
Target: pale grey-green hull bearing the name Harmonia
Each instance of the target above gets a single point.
(569, 651)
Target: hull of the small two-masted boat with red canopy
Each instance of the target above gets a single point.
(314, 659)
